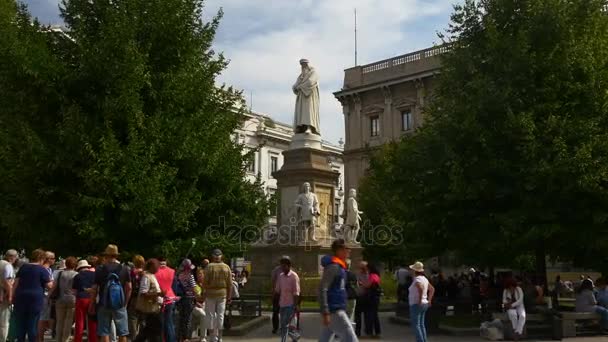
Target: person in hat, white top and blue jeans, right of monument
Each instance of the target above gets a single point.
(421, 294)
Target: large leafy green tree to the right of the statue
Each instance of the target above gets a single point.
(513, 157)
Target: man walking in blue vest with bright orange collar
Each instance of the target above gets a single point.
(332, 295)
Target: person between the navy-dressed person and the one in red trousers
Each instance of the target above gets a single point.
(66, 301)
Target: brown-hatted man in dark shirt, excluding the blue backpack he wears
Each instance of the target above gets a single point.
(105, 316)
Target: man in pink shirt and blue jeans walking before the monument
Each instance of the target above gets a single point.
(288, 290)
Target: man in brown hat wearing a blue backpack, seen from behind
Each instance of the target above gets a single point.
(113, 288)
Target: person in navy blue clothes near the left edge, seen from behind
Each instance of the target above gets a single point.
(31, 282)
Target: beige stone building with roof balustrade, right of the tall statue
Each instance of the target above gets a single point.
(381, 102)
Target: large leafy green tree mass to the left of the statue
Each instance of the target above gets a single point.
(116, 131)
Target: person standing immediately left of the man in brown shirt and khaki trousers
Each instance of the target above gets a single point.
(186, 284)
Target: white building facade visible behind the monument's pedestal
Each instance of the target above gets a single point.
(270, 138)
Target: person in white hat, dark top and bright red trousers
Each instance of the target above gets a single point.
(83, 282)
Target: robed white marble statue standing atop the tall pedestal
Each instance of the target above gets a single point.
(306, 88)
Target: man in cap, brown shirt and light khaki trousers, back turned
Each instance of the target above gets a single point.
(217, 287)
